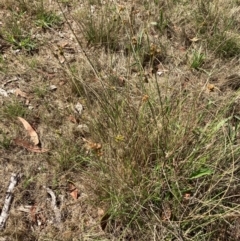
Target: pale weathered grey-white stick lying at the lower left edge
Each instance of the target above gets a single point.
(8, 200)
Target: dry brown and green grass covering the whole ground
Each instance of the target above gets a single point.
(160, 157)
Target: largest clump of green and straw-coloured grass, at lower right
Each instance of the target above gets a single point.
(163, 163)
